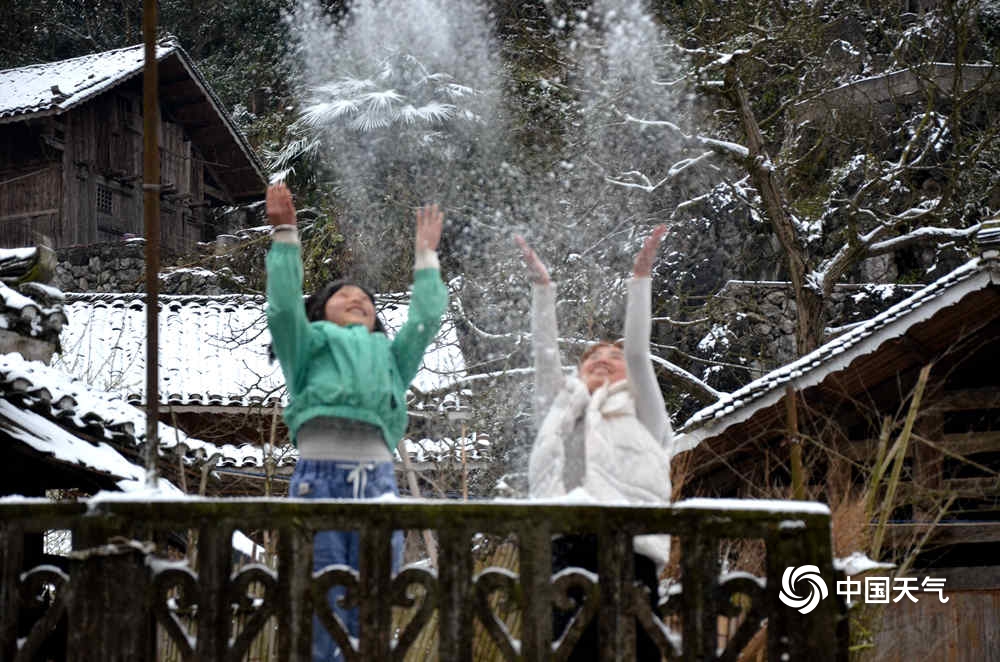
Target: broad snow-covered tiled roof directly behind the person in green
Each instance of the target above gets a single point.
(213, 349)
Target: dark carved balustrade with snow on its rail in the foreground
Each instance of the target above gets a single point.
(115, 589)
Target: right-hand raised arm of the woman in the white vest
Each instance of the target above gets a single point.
(648, 397)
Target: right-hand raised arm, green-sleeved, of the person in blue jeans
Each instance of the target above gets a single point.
(429, 299)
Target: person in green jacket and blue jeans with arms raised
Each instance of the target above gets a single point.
(346, 383)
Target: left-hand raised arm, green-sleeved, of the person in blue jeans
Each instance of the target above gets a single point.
(286, 314)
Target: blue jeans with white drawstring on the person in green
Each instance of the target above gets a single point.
(330, 479)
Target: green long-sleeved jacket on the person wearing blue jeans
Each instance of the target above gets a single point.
(347, 372)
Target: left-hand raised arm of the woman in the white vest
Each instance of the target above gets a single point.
(544, 329)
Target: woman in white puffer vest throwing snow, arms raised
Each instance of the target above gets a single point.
(604, 434)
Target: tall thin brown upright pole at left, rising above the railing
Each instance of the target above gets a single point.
(151, 217)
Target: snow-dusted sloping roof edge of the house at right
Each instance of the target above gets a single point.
(861, 340)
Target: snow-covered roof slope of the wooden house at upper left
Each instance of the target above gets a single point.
(53, 87)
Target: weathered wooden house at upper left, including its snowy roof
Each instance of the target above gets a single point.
(71, 151)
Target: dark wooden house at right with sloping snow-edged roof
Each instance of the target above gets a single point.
(846, 404)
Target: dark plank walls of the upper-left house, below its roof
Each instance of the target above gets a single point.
(77, 177)
